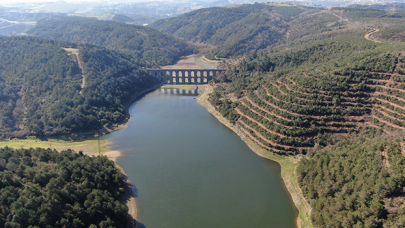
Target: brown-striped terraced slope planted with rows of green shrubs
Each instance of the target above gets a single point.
(302, 109)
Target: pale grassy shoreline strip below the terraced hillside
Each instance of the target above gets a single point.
(287, 164)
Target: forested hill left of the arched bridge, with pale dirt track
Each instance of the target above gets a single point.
(47, 90)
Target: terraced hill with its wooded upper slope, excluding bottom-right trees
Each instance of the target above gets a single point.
(289, 100)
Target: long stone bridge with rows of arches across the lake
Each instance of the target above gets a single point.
(185, 76)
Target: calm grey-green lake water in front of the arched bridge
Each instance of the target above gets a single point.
(190, 171)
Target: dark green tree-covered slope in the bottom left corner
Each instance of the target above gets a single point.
(45, 188)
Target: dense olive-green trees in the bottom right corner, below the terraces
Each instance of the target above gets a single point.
(350, 185)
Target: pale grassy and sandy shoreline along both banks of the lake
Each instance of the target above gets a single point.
(287, 164)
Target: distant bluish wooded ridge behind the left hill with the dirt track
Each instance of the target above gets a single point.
(141, 42)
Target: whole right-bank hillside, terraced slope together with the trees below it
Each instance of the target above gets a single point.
(339, 75)
